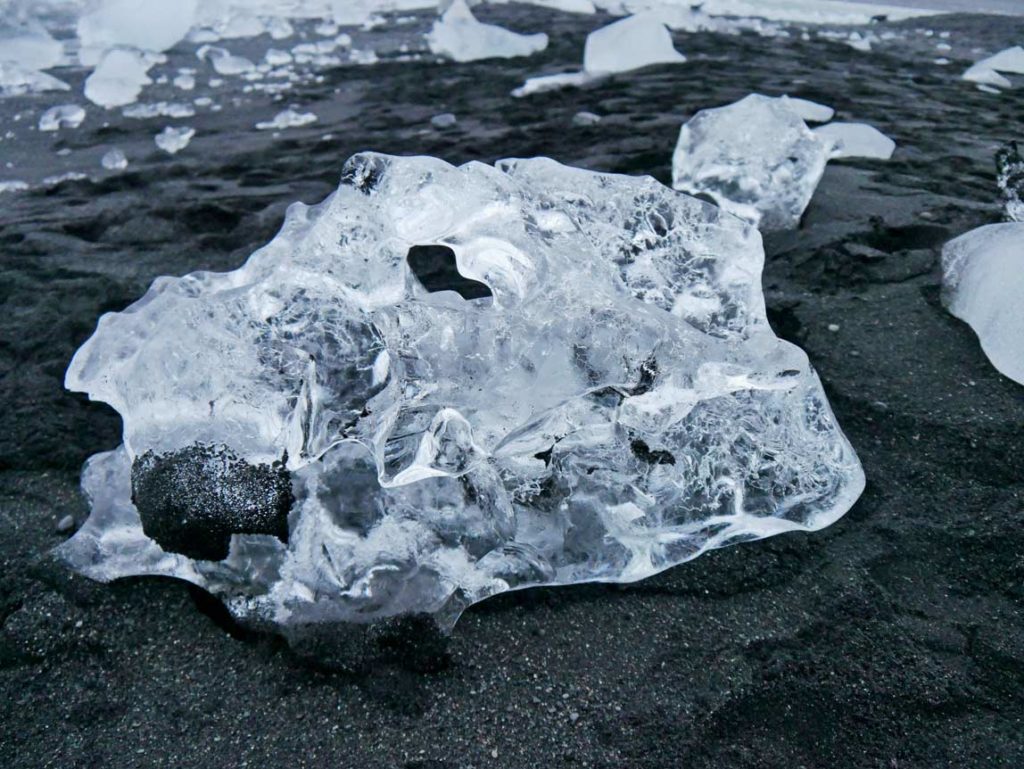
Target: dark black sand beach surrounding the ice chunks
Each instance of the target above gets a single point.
(894, 639)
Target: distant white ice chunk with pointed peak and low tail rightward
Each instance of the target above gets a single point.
(459, 36)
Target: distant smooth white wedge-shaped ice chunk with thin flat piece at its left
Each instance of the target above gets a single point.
(637, 41)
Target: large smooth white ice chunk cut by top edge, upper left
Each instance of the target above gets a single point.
(132, 24)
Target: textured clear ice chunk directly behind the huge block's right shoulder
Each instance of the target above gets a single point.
(756, 158)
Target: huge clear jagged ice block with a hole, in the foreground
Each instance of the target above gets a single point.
(446, 382)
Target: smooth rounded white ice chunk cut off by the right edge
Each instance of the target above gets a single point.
(984, 285)
